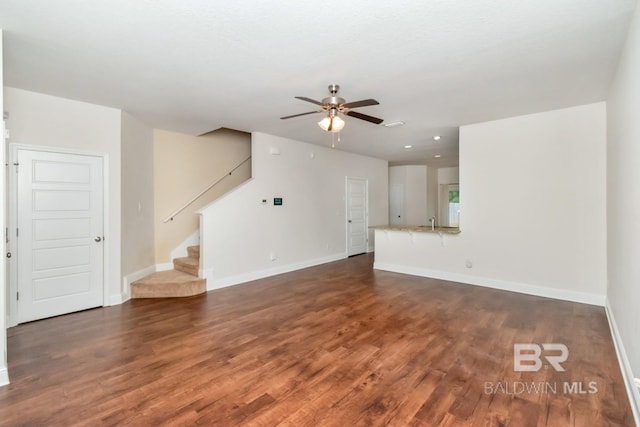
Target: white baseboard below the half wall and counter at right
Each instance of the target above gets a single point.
(504, 285)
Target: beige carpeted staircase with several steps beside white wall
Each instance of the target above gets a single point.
(182, 281)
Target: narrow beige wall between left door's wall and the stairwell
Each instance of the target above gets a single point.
(137, 196)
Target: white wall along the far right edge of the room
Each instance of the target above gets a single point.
(623, 200)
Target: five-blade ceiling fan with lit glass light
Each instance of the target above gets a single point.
(334, 105)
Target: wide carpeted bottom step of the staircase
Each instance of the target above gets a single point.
(168, 284)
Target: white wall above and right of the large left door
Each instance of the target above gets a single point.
(45, 120)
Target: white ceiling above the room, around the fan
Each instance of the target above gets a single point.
(194, 65)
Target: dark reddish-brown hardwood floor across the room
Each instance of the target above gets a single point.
(338, 344)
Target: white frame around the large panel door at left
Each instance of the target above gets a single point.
(12, 318)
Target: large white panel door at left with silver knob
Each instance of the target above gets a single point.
(60, 233)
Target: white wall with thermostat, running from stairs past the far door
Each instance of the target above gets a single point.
(239, 234)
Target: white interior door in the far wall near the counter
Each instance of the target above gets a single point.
(357, 229)
